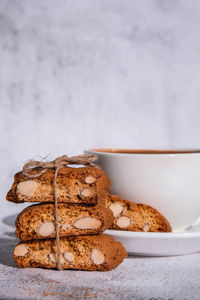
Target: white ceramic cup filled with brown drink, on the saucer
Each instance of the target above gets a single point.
(168, 180)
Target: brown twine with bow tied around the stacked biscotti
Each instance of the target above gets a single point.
(41, 167)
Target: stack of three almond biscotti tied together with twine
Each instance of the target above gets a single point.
(83, 216)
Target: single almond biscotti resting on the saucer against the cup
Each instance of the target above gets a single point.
(136, 217)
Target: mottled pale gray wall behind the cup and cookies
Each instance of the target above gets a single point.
(107, 73)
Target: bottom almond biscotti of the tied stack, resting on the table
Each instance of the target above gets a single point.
(92, 253)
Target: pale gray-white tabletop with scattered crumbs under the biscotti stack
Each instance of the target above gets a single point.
(136, 278)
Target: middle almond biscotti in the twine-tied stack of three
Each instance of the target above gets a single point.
(37, 221)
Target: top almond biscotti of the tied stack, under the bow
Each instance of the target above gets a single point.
(86, 185)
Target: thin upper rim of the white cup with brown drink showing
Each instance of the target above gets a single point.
(144, 151)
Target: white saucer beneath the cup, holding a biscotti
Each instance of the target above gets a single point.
(159, 244)
